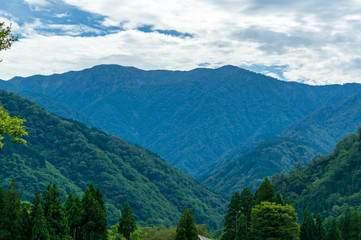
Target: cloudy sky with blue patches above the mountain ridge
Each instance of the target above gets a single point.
(316, 42)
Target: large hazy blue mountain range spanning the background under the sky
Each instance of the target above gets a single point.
(190, 118)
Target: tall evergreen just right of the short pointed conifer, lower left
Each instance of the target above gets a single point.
(55, 214)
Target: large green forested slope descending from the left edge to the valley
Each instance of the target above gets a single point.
(73, 156)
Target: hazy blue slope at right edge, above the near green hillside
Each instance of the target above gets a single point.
(323, 128)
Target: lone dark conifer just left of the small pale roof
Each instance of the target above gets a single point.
(186, 229)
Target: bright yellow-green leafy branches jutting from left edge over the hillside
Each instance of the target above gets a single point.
(11, 126)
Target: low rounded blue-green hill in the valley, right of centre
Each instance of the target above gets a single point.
(268, 158)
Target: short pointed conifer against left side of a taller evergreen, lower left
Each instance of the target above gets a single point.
(39, 229)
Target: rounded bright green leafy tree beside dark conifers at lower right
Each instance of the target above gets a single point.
(274, 221)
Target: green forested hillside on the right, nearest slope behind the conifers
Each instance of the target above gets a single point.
(329, 184)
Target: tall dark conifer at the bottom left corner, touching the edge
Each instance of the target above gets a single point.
(10, 225)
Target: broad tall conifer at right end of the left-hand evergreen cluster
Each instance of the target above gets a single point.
(93, 217)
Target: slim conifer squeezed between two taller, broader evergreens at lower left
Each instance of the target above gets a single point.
(73, 214)
